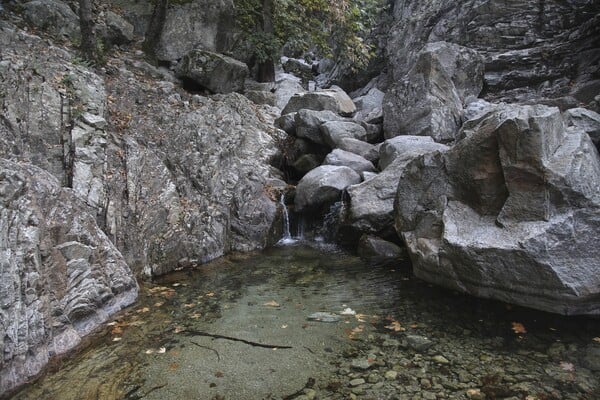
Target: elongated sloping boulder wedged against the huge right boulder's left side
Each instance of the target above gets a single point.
(372, 202)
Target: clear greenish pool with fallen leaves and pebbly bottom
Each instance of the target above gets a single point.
(408, 341)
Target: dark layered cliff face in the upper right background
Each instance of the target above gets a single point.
(532, 50)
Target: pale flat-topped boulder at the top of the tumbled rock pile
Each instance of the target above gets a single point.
(333, 99)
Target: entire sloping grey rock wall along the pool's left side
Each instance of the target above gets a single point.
(108, 176)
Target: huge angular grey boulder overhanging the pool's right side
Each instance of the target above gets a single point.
(511, 212)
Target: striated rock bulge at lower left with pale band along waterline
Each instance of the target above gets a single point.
(61, 275)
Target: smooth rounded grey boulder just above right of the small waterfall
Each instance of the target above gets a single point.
(323, 185)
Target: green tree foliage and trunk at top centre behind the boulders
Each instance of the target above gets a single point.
(338, 29)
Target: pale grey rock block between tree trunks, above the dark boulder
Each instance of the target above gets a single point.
(204, 24)
